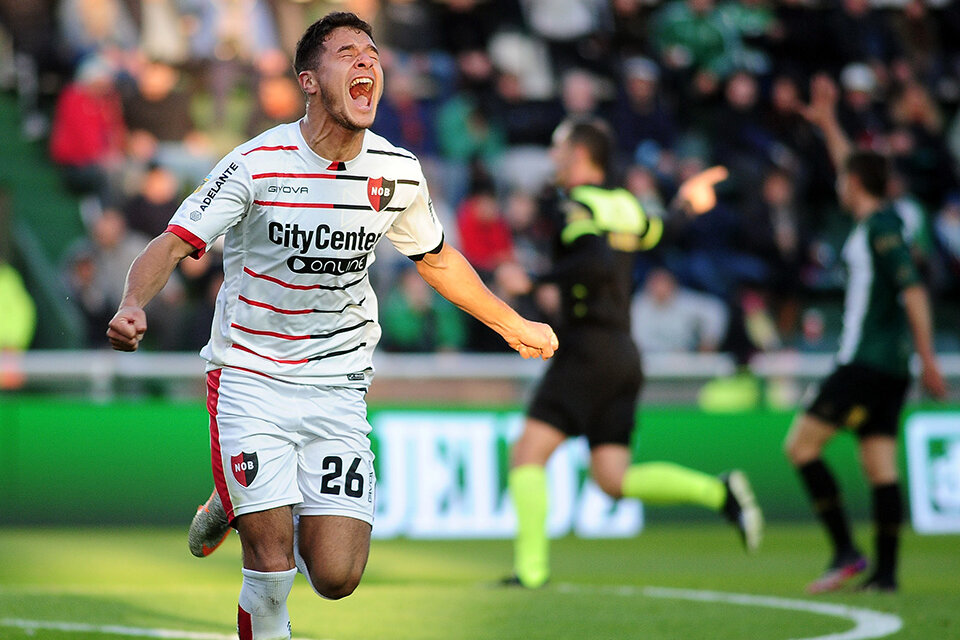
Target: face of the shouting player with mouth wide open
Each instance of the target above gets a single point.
(349, 78)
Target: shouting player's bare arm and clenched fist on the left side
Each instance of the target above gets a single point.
(146, 277)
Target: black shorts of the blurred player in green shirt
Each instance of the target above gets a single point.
(863, 400)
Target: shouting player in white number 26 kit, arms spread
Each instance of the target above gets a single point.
(301, 208)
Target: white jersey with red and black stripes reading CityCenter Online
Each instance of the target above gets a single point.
(299, 236)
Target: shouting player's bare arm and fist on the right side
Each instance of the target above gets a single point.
(452, 276)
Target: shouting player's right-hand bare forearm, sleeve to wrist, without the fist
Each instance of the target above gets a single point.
(456, 280)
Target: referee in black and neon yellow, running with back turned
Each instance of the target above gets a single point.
(592, 386)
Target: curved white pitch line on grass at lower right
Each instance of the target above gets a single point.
(867, 623)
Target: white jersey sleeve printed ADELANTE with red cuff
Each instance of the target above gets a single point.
(219, 203)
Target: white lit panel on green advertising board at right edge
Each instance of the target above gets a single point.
(933, 470)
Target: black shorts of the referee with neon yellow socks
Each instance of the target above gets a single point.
(592, 387)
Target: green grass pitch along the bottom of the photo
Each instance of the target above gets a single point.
(423, 590)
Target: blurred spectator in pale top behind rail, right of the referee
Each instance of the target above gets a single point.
(667, 318)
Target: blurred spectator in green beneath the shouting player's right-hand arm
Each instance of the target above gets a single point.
(415, 319)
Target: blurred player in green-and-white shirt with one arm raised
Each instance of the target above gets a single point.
(885, 303)
